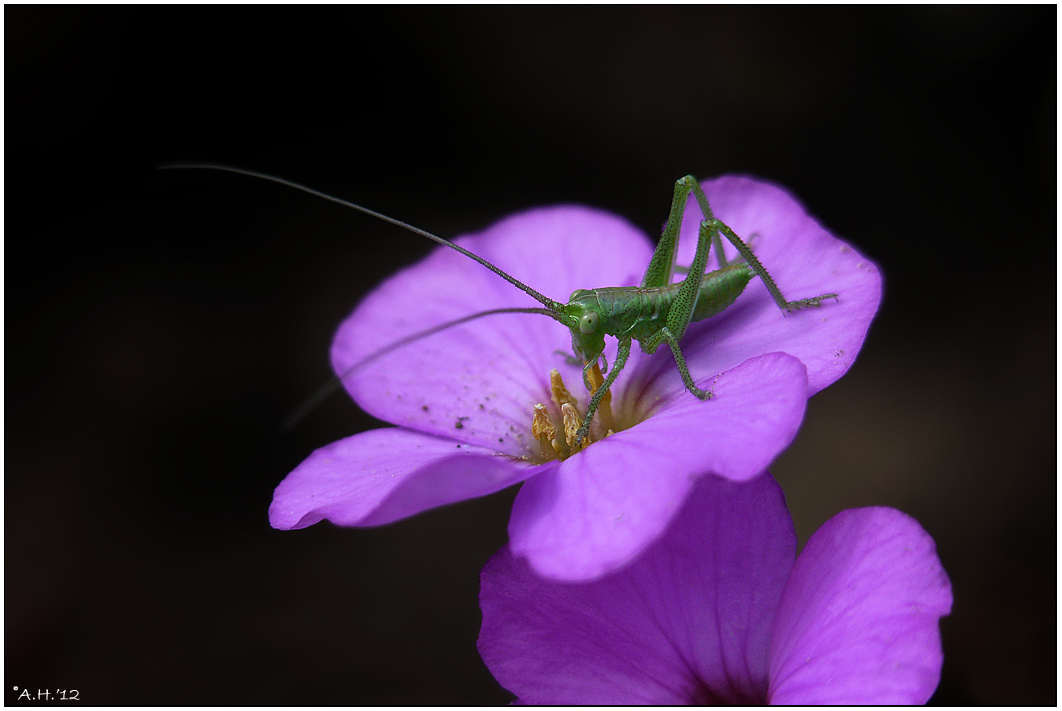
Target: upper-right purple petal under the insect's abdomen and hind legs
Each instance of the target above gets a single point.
(806, 261)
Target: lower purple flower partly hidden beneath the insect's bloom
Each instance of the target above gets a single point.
(718, 612)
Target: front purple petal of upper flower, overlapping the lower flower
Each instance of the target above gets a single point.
(604, 506)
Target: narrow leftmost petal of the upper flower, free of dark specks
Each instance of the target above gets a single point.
(384, 476)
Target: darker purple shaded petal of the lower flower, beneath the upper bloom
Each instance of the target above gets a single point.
(689, 622)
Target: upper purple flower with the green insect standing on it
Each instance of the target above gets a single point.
(465, 398)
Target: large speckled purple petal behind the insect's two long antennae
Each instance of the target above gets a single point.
(479, 382)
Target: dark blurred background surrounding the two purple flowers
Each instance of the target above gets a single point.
(161, 326)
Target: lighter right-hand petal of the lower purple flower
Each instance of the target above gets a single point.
(860, 618)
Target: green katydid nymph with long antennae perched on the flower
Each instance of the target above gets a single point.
(655, 313)
